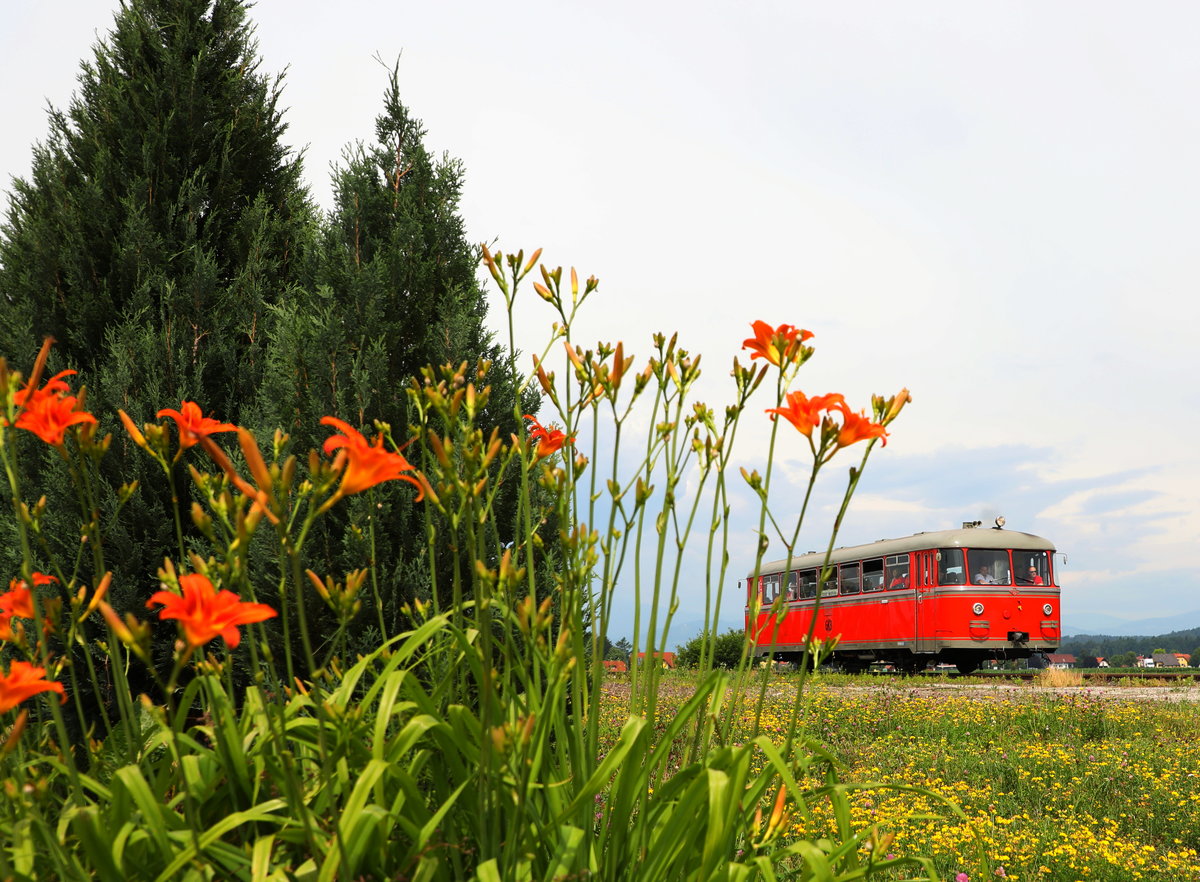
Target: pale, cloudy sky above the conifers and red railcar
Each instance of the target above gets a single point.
(992, 205)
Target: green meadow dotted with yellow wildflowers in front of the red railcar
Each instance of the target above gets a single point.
(1054, 785)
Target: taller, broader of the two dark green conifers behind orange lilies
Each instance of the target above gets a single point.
(161, 221)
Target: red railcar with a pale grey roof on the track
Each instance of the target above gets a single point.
(958, 597)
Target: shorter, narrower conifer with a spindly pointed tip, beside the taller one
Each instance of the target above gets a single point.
(397, 291)
